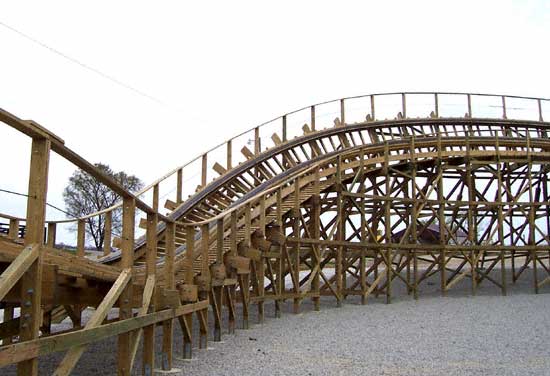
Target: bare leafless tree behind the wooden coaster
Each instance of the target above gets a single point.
(86, 195)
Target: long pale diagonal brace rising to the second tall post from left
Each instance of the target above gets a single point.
(74, 354)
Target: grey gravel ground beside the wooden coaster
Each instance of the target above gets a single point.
(455, 335)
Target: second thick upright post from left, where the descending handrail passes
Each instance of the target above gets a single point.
(125, 300)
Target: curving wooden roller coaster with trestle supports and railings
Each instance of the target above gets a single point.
(450, 184)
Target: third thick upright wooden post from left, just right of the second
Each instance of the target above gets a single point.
(150, 271)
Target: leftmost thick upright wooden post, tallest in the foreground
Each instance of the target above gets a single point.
(31, 281)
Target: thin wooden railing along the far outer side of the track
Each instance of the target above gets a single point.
(194, 175)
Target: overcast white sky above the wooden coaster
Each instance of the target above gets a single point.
(221, 67)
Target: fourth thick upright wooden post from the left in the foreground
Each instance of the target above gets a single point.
(169, 270)
